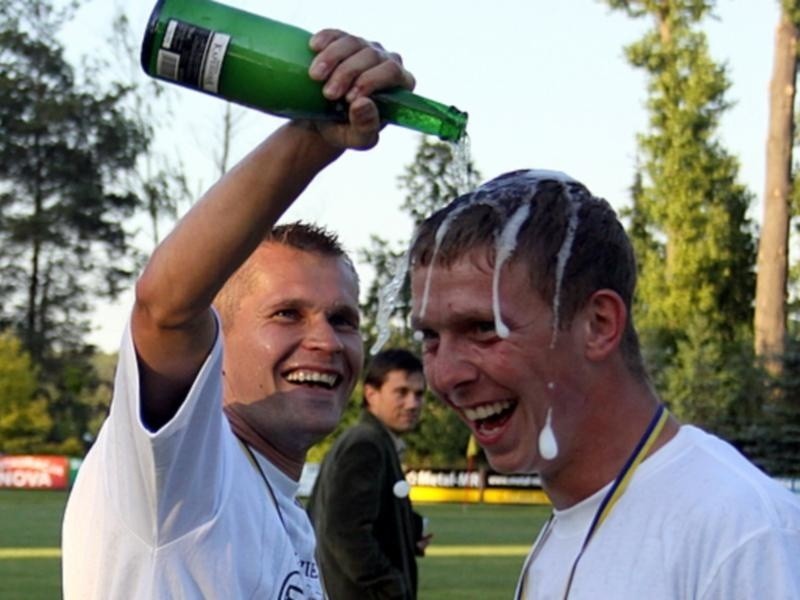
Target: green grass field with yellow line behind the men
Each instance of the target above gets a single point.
(477, 550)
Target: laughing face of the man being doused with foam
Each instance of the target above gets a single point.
(501, 387)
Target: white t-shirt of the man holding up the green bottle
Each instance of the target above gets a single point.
(182, 512)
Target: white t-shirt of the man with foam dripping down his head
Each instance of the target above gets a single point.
(698, 521)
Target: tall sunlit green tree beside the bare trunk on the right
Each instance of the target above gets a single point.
(697, 250)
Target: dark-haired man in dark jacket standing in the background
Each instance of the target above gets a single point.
(368, 534)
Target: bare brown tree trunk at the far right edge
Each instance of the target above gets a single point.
(773, 248)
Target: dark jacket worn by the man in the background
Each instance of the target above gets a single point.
(366, 535)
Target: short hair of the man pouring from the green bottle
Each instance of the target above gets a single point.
(299, 235)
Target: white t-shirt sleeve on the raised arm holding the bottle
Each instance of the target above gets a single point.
(165, 483)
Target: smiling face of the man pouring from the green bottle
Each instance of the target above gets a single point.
(293, 350)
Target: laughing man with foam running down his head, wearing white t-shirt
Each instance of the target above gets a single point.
(522, 292)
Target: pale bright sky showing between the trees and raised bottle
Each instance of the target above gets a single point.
(544, 81)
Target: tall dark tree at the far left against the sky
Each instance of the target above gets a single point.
(64, 145)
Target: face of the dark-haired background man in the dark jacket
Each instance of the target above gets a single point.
(397, 403)
